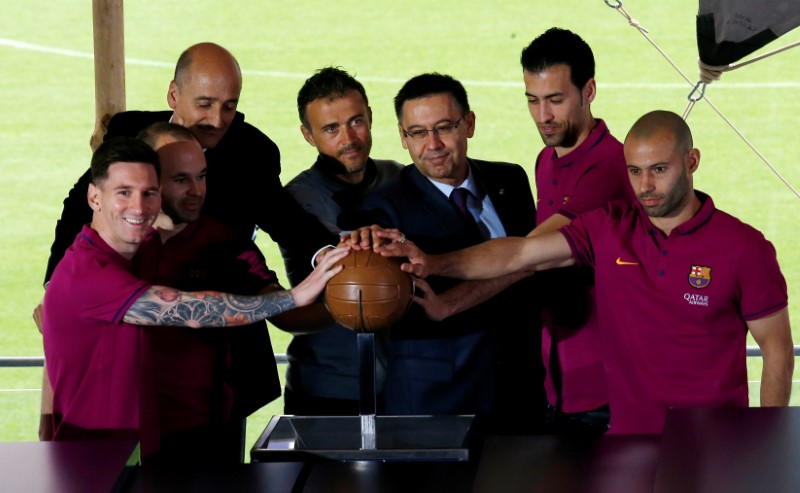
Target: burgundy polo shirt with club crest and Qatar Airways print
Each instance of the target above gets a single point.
(674, 309)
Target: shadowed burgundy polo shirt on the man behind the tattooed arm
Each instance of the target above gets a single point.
(190, 365)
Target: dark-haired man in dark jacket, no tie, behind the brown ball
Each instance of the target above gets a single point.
(322, 377)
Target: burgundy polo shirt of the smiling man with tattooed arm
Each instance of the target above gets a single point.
(96, 362)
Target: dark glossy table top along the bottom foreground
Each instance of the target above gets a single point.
(732, 450)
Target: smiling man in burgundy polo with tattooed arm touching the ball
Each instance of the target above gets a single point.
(98, 358)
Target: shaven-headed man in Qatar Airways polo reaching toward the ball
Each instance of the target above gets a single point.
(679, 284)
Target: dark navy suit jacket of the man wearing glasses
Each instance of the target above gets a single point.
(476, 361)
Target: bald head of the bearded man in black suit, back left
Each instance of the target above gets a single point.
(205, 92)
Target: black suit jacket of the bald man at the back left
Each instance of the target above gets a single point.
(243, 189)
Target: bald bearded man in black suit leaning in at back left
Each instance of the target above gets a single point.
(244, 188)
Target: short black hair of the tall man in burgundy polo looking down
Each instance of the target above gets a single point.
(558, 46)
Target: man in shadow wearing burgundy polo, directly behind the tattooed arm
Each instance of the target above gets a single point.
(205, 384)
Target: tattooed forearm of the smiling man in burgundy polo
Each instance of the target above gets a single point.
(168, 306)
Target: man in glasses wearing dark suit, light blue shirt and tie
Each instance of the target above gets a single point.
(445, 358)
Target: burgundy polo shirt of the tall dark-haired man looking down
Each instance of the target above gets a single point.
(590, 176)
